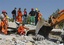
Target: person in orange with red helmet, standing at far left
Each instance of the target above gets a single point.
(4, 22)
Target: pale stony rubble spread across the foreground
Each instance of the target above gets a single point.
(22, 40)
